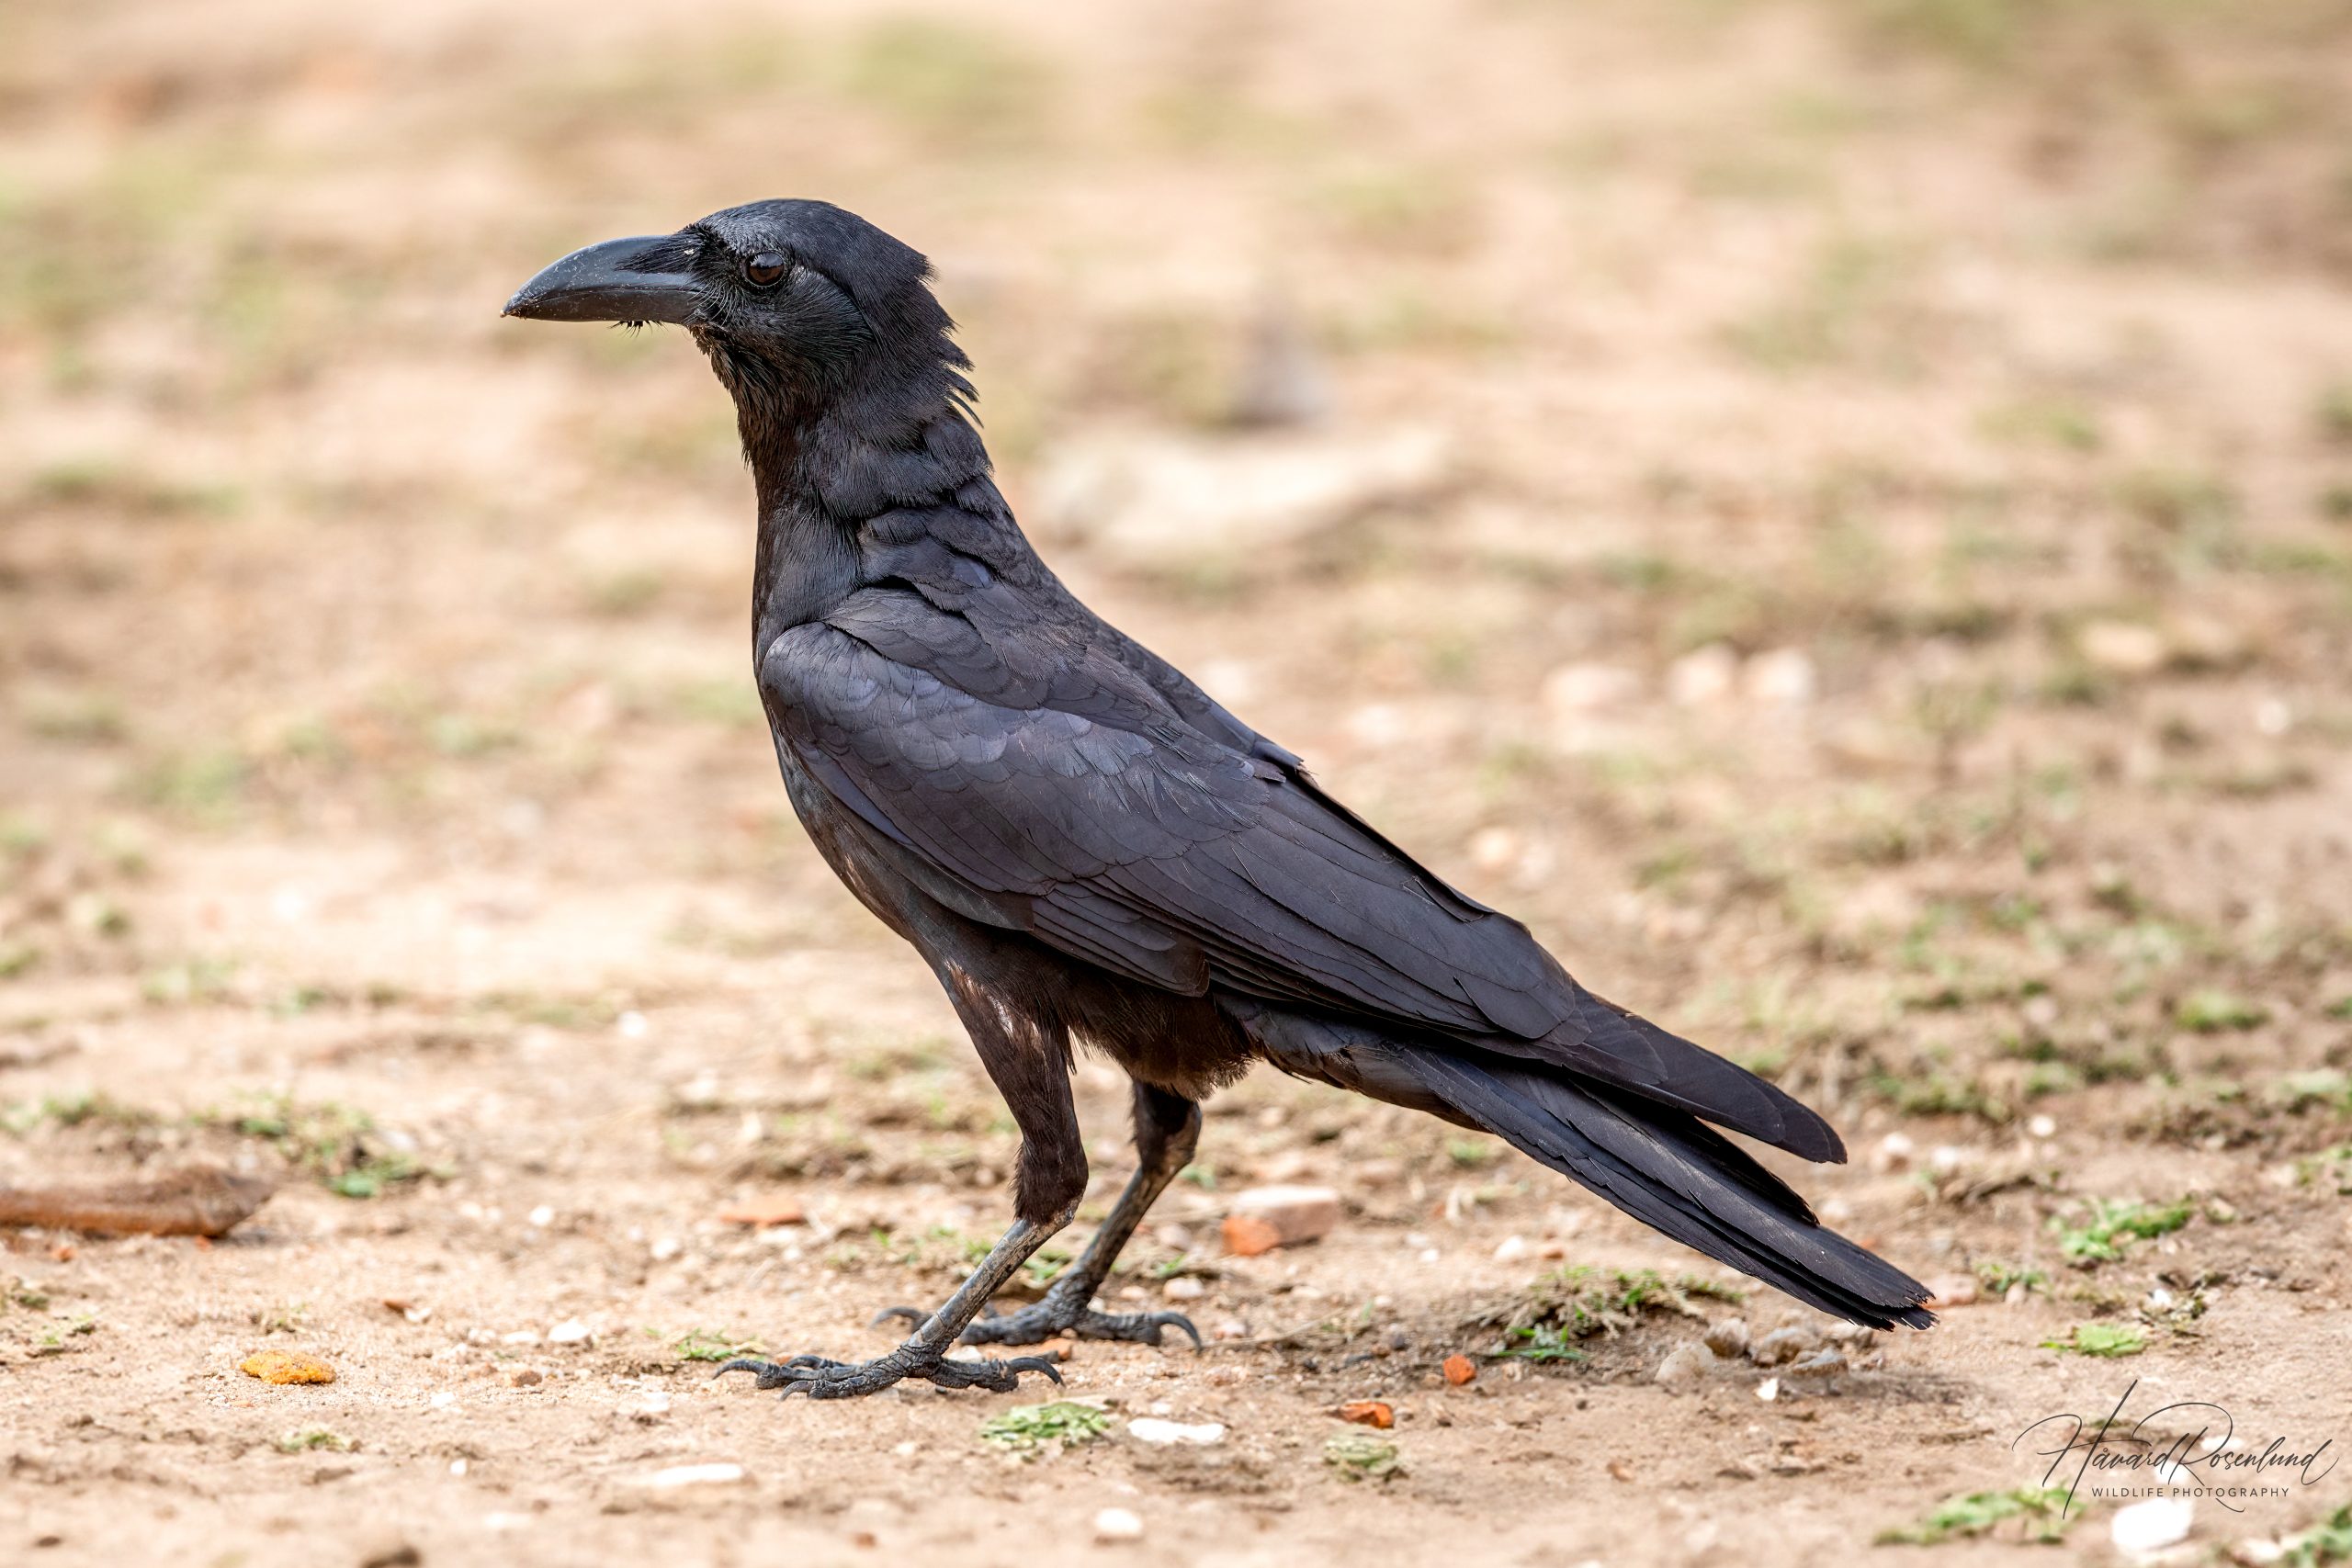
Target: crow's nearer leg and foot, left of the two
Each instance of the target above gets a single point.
(1031, 1064)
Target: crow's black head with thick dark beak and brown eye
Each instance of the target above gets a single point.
(799, 304)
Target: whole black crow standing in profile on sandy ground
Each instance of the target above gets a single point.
(1083, 845)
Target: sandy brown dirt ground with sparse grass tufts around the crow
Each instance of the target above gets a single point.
(1838, 514)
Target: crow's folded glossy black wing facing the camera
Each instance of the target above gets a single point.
(1036, 779)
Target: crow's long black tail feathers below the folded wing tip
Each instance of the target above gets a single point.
(1659, 1165)
